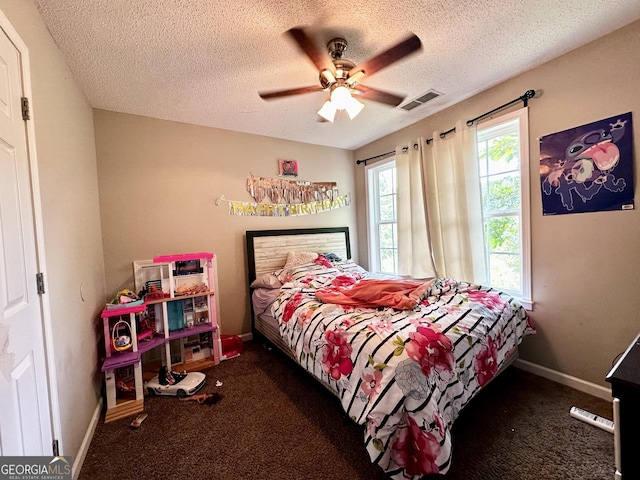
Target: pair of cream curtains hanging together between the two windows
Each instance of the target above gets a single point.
(447, 226)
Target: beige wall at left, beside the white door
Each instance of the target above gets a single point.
(73, 246)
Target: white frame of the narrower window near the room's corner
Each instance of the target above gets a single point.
(373, 209)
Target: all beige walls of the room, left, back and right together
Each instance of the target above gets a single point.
(158, 182)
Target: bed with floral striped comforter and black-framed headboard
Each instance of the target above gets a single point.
(403, 356)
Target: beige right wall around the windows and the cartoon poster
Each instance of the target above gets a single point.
(584, 266)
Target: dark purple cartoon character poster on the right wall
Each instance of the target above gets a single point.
(588, 168)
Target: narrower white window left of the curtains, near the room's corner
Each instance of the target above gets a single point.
(381, 205)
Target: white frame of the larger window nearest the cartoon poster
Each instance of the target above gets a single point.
(521, 115)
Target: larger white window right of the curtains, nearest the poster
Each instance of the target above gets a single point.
(503, 153)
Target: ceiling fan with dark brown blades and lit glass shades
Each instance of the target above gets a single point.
(340, 77)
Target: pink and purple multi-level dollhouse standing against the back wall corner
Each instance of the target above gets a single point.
(181, 301)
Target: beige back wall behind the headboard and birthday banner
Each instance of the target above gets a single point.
(159, 181)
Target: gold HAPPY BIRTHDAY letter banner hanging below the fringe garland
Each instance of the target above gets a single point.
(286, 209)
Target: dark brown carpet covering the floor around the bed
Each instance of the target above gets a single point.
(275, 422)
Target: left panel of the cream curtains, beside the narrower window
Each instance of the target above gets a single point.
(414, 252)
